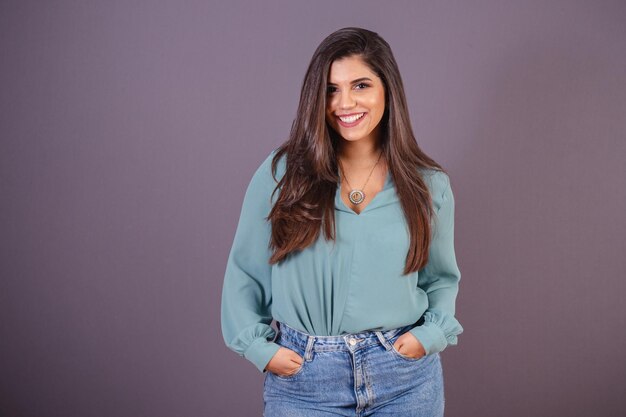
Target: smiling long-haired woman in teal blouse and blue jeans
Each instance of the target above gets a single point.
(345, 238)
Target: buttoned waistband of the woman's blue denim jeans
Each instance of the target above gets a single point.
(348, 342)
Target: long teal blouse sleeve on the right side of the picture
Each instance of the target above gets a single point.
(439, 278)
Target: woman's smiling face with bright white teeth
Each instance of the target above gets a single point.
(355, 100)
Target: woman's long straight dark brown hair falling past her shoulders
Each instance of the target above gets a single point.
(307, 190)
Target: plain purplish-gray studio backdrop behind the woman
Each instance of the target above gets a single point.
(129, 131)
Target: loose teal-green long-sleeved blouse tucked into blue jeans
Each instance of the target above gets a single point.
(351, 285)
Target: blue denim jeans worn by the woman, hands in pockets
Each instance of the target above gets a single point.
(354, 375)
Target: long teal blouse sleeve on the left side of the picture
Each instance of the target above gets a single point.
(246, 293)
